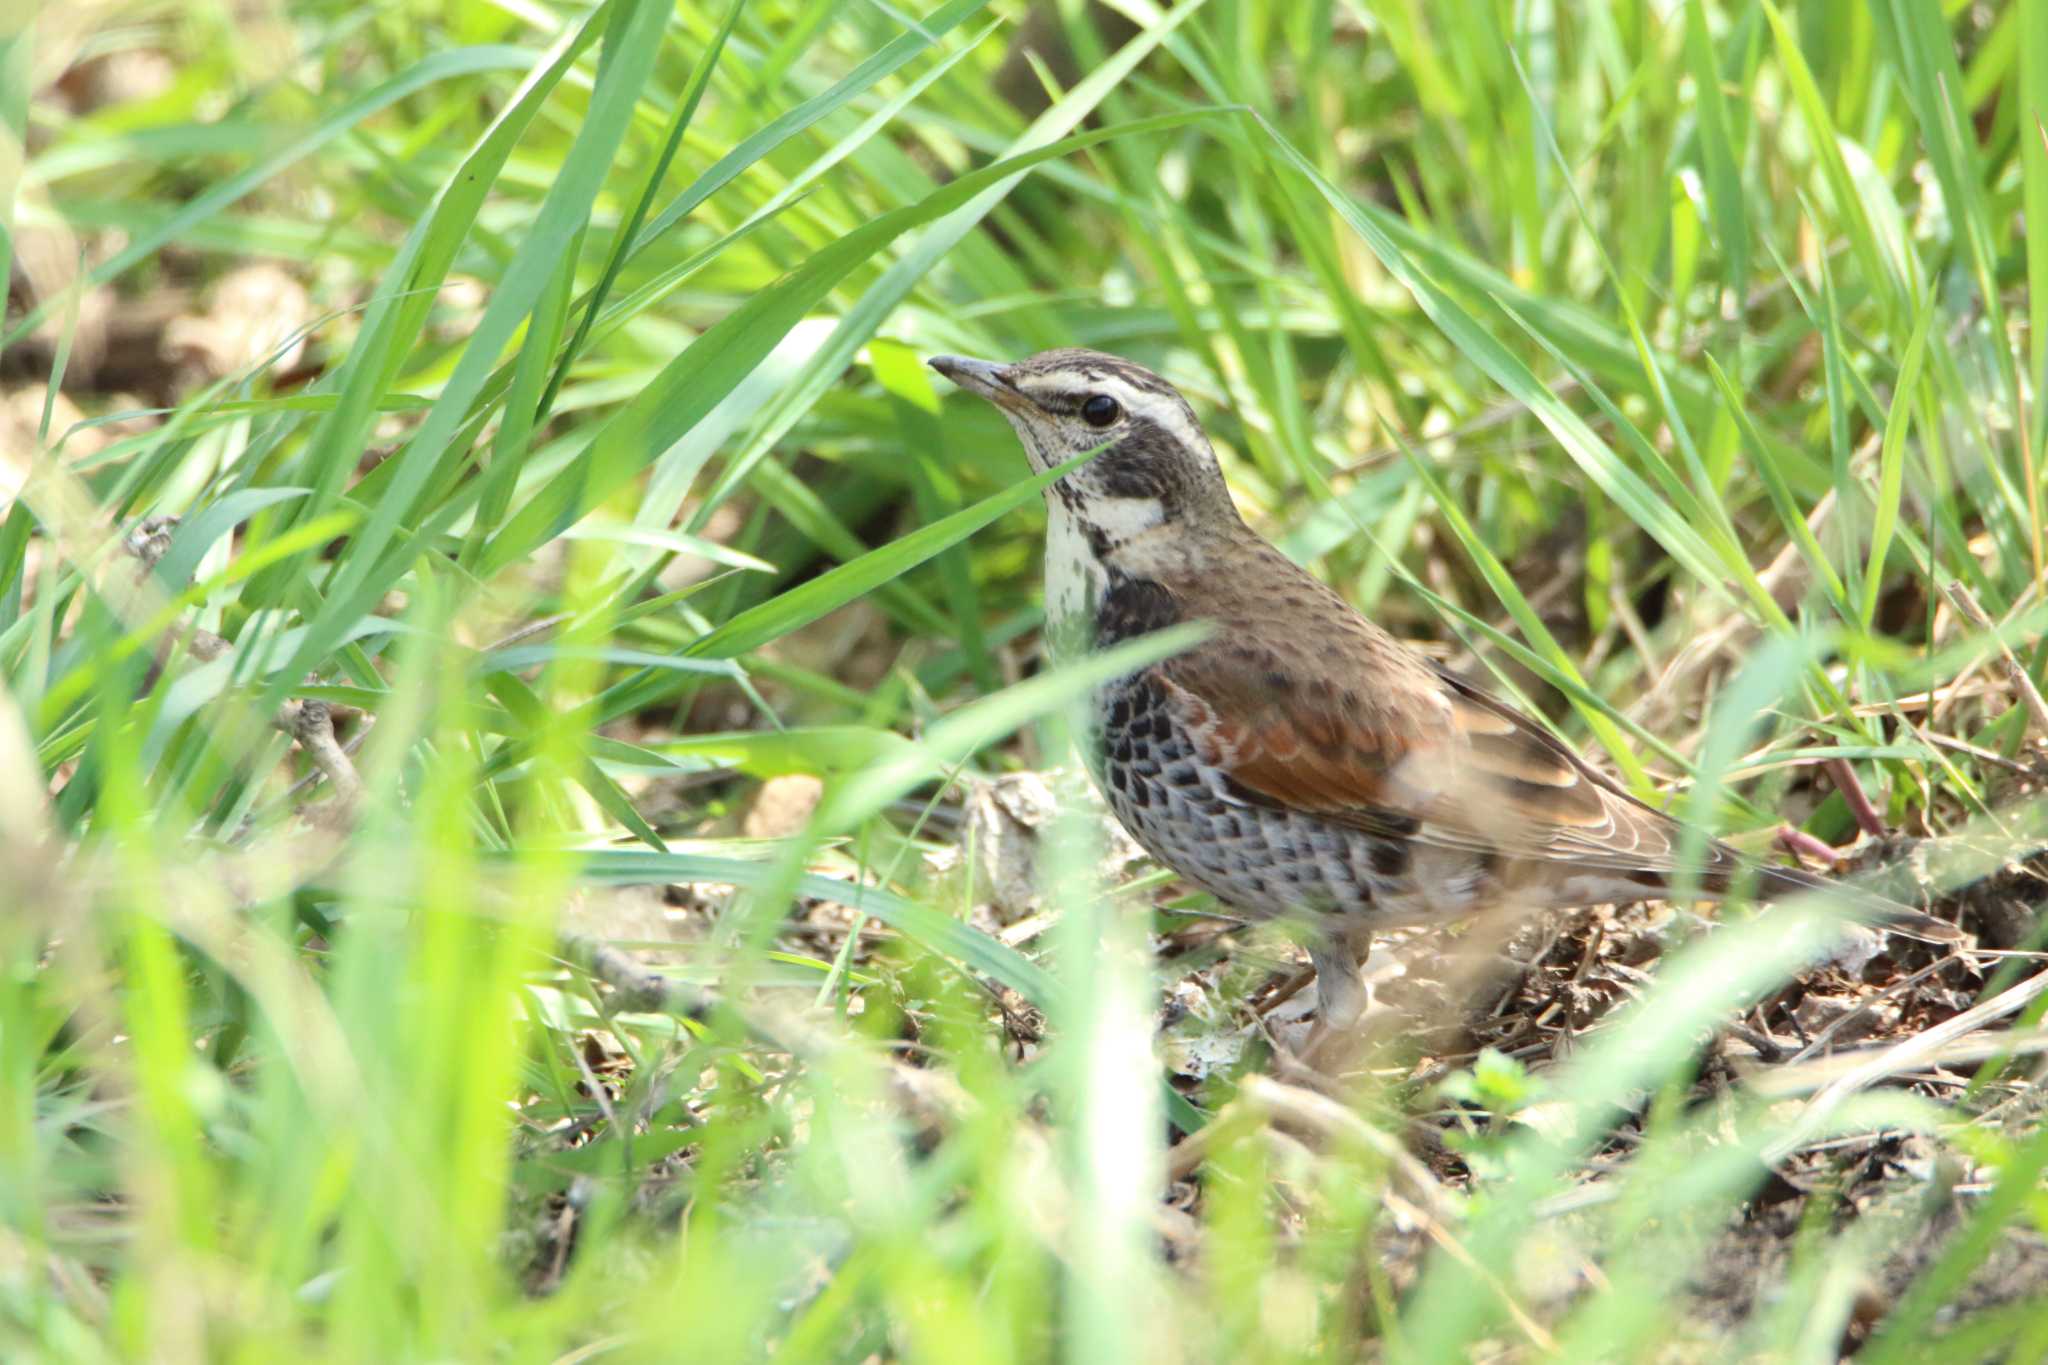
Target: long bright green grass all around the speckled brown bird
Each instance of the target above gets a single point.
(538, 388)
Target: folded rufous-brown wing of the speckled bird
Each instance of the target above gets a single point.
(1406, 748)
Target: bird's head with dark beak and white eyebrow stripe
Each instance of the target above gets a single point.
(1156, 470)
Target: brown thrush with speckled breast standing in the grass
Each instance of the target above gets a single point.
(1299, 760)
